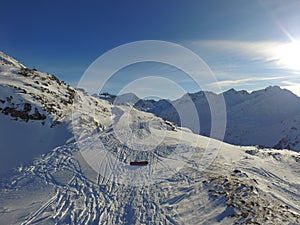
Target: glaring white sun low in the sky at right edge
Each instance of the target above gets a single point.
(288, 55)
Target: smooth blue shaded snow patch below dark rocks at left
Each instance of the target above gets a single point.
(22, 142)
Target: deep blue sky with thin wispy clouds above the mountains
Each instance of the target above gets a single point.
(247, 44)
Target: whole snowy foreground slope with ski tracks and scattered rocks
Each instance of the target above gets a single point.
(190, 179)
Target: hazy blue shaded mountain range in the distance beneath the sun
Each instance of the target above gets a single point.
(268, 117)
